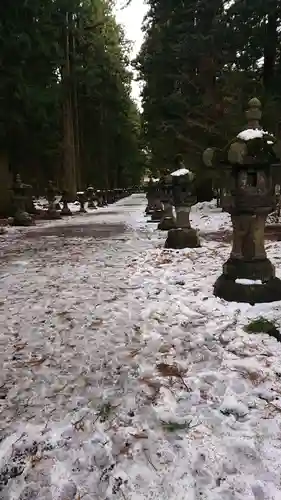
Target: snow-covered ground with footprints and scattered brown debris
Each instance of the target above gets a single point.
(122, 377)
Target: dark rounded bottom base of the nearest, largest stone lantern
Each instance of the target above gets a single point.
(231, 291)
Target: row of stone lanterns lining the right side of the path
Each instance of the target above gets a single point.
(249, 169)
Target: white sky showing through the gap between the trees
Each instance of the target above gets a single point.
(131, 18)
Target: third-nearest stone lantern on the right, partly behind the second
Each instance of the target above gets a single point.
(167, 221)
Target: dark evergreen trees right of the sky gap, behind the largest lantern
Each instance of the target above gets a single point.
(201, 61)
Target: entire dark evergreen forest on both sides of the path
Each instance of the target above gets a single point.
(66, 110)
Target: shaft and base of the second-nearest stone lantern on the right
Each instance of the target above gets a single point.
(184, 236)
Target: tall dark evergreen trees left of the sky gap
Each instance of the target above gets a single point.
(66, 112)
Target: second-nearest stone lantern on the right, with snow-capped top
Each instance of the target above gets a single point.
(184, 196)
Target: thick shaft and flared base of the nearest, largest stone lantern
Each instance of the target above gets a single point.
(248, 261)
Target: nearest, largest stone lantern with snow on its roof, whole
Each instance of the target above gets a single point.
(250, 166)
